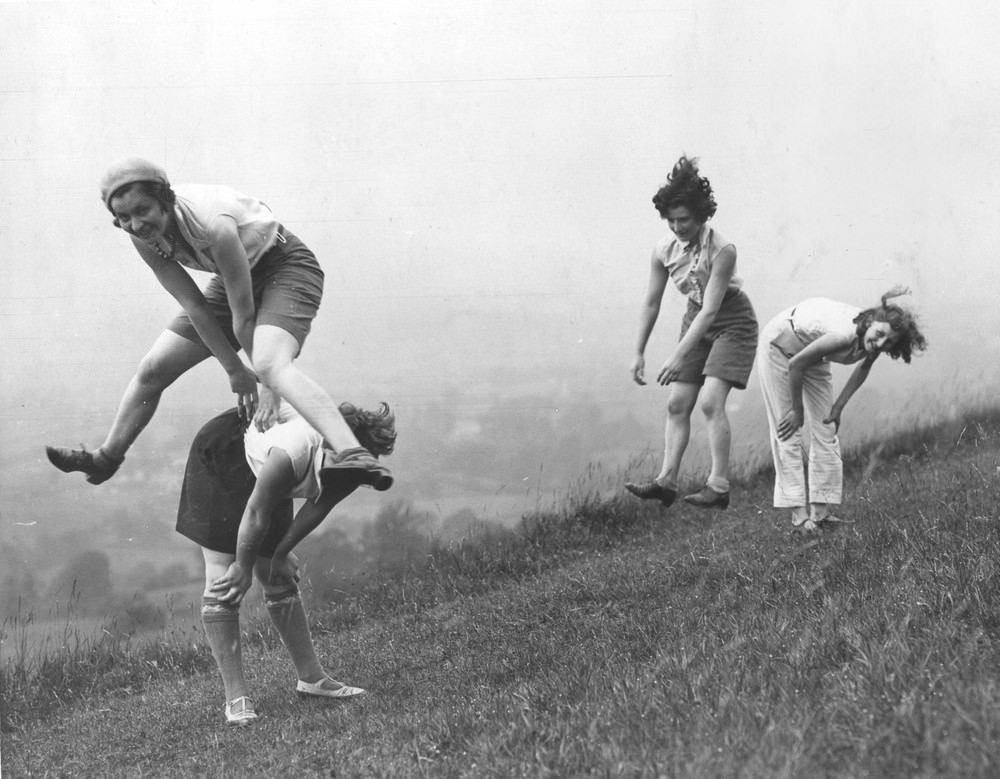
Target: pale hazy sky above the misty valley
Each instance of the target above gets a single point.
(476, 179)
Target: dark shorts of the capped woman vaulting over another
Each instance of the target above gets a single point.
(287, 290)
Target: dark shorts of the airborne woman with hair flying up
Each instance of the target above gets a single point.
(728, 348)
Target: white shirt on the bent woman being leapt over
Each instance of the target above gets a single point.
(299, 440)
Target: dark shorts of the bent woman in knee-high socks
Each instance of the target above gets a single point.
(217, 486)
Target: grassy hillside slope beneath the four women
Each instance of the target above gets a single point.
(611, 639)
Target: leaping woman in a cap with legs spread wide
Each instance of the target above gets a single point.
(263, 298)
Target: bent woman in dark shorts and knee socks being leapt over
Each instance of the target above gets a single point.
(236, 504)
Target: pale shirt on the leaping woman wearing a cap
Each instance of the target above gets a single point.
(199, 205)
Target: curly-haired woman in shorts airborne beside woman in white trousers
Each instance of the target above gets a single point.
(718, 333)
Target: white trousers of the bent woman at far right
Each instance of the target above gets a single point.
(791, 461)
